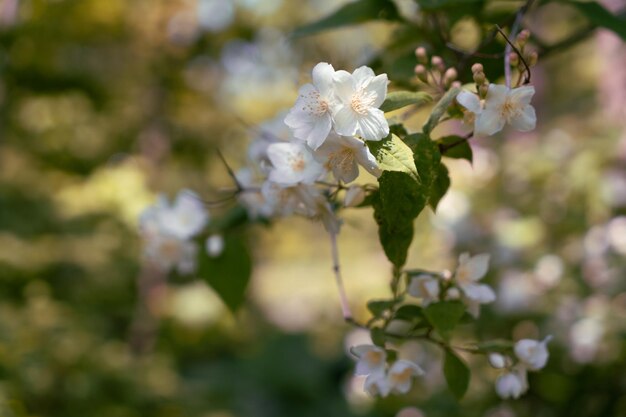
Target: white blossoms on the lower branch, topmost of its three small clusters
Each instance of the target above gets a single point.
(463, 284)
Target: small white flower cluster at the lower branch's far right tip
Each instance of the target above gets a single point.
(531, 355)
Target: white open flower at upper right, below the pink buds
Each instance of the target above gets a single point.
(504, 105)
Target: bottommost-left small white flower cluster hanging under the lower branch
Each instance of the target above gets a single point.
(383, 379)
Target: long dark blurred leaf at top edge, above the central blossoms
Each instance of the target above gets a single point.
(353, 13)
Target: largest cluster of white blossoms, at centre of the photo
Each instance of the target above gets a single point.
(329, 124)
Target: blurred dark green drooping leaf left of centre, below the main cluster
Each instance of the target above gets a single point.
(229, 273)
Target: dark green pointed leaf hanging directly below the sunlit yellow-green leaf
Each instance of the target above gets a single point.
(398, 202)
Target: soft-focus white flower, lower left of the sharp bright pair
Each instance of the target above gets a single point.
(293, 163)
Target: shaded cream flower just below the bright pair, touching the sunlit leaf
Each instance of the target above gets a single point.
(342, 155)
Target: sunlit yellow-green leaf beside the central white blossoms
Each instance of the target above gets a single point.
(392, 154)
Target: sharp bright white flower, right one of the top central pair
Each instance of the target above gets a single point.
(360, 95)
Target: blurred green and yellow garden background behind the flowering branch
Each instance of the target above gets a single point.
(106, 103)
